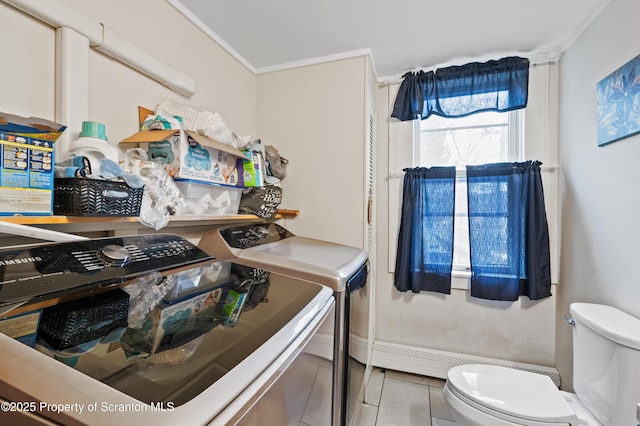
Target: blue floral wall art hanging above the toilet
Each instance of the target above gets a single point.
(619, 103)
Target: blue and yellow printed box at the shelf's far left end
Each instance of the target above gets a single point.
(26, 168)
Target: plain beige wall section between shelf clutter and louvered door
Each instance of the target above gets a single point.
(314, 116)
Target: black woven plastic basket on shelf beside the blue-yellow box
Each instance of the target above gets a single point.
(94, 197)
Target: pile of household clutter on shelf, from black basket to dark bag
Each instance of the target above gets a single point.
(184, 161)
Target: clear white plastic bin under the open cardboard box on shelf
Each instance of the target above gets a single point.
(210, 198)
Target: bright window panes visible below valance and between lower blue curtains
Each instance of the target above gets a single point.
(487, 137)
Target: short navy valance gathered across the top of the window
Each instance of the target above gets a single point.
(500, 85)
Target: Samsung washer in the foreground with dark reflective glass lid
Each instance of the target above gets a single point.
(210, 367)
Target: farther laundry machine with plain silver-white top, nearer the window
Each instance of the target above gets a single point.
(342, 268)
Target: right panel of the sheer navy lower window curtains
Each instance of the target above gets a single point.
(508, 232)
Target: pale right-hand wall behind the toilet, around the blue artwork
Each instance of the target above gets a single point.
(599, 197)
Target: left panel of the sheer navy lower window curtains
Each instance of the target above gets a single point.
(425, 242)
